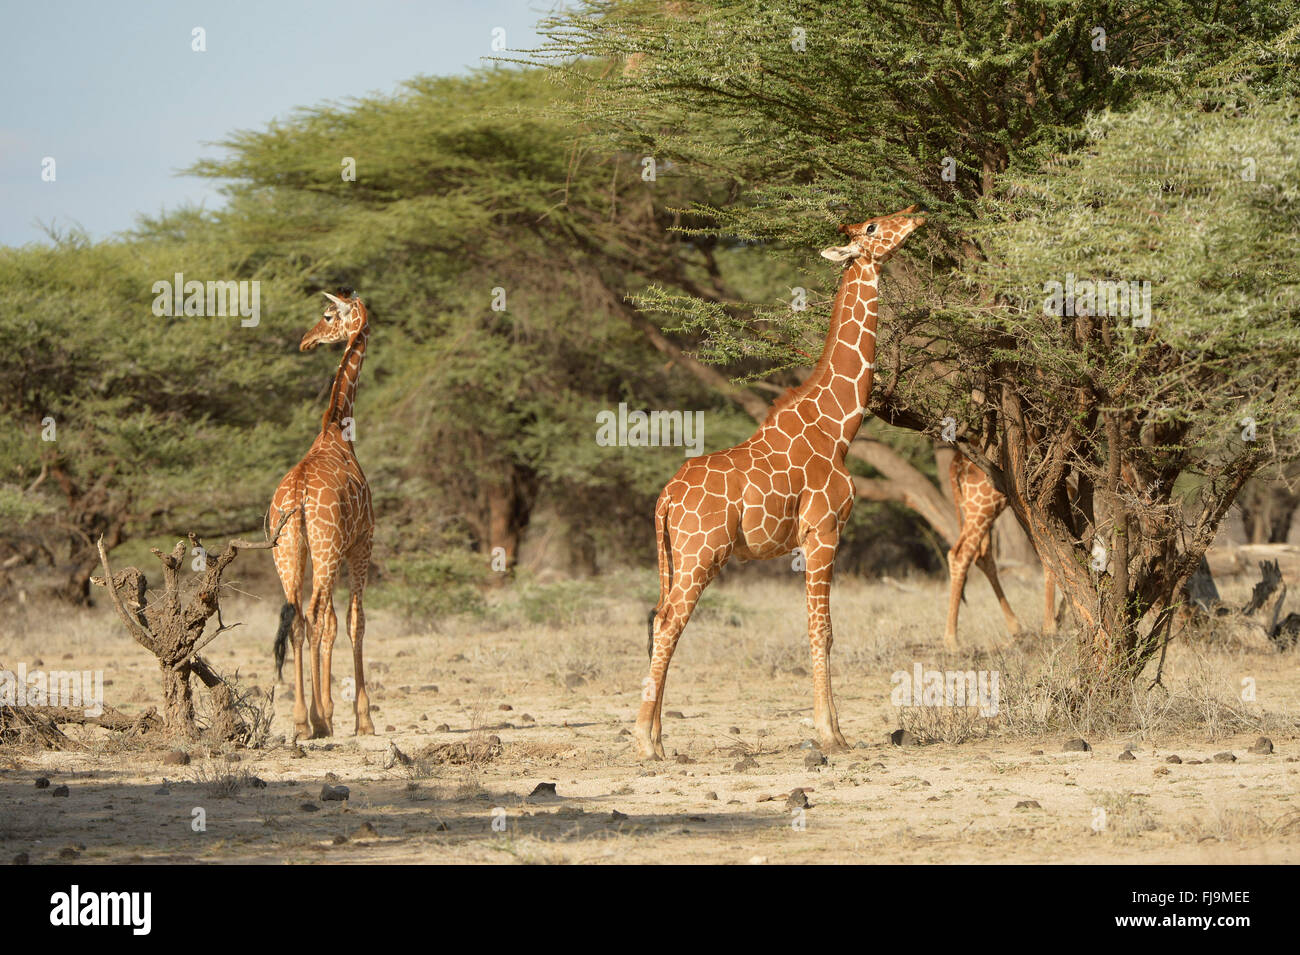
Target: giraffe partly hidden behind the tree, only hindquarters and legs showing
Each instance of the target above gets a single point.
(980, 505)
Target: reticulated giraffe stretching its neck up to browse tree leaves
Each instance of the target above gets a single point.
(786, 488)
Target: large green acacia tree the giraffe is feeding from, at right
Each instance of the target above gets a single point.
(814, 115)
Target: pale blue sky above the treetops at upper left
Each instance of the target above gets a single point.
(115, 94)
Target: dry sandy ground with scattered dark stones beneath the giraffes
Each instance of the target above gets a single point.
(556, 672)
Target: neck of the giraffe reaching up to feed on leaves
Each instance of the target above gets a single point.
(842, 381)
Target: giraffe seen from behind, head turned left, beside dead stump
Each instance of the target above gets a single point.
(335, 522)
